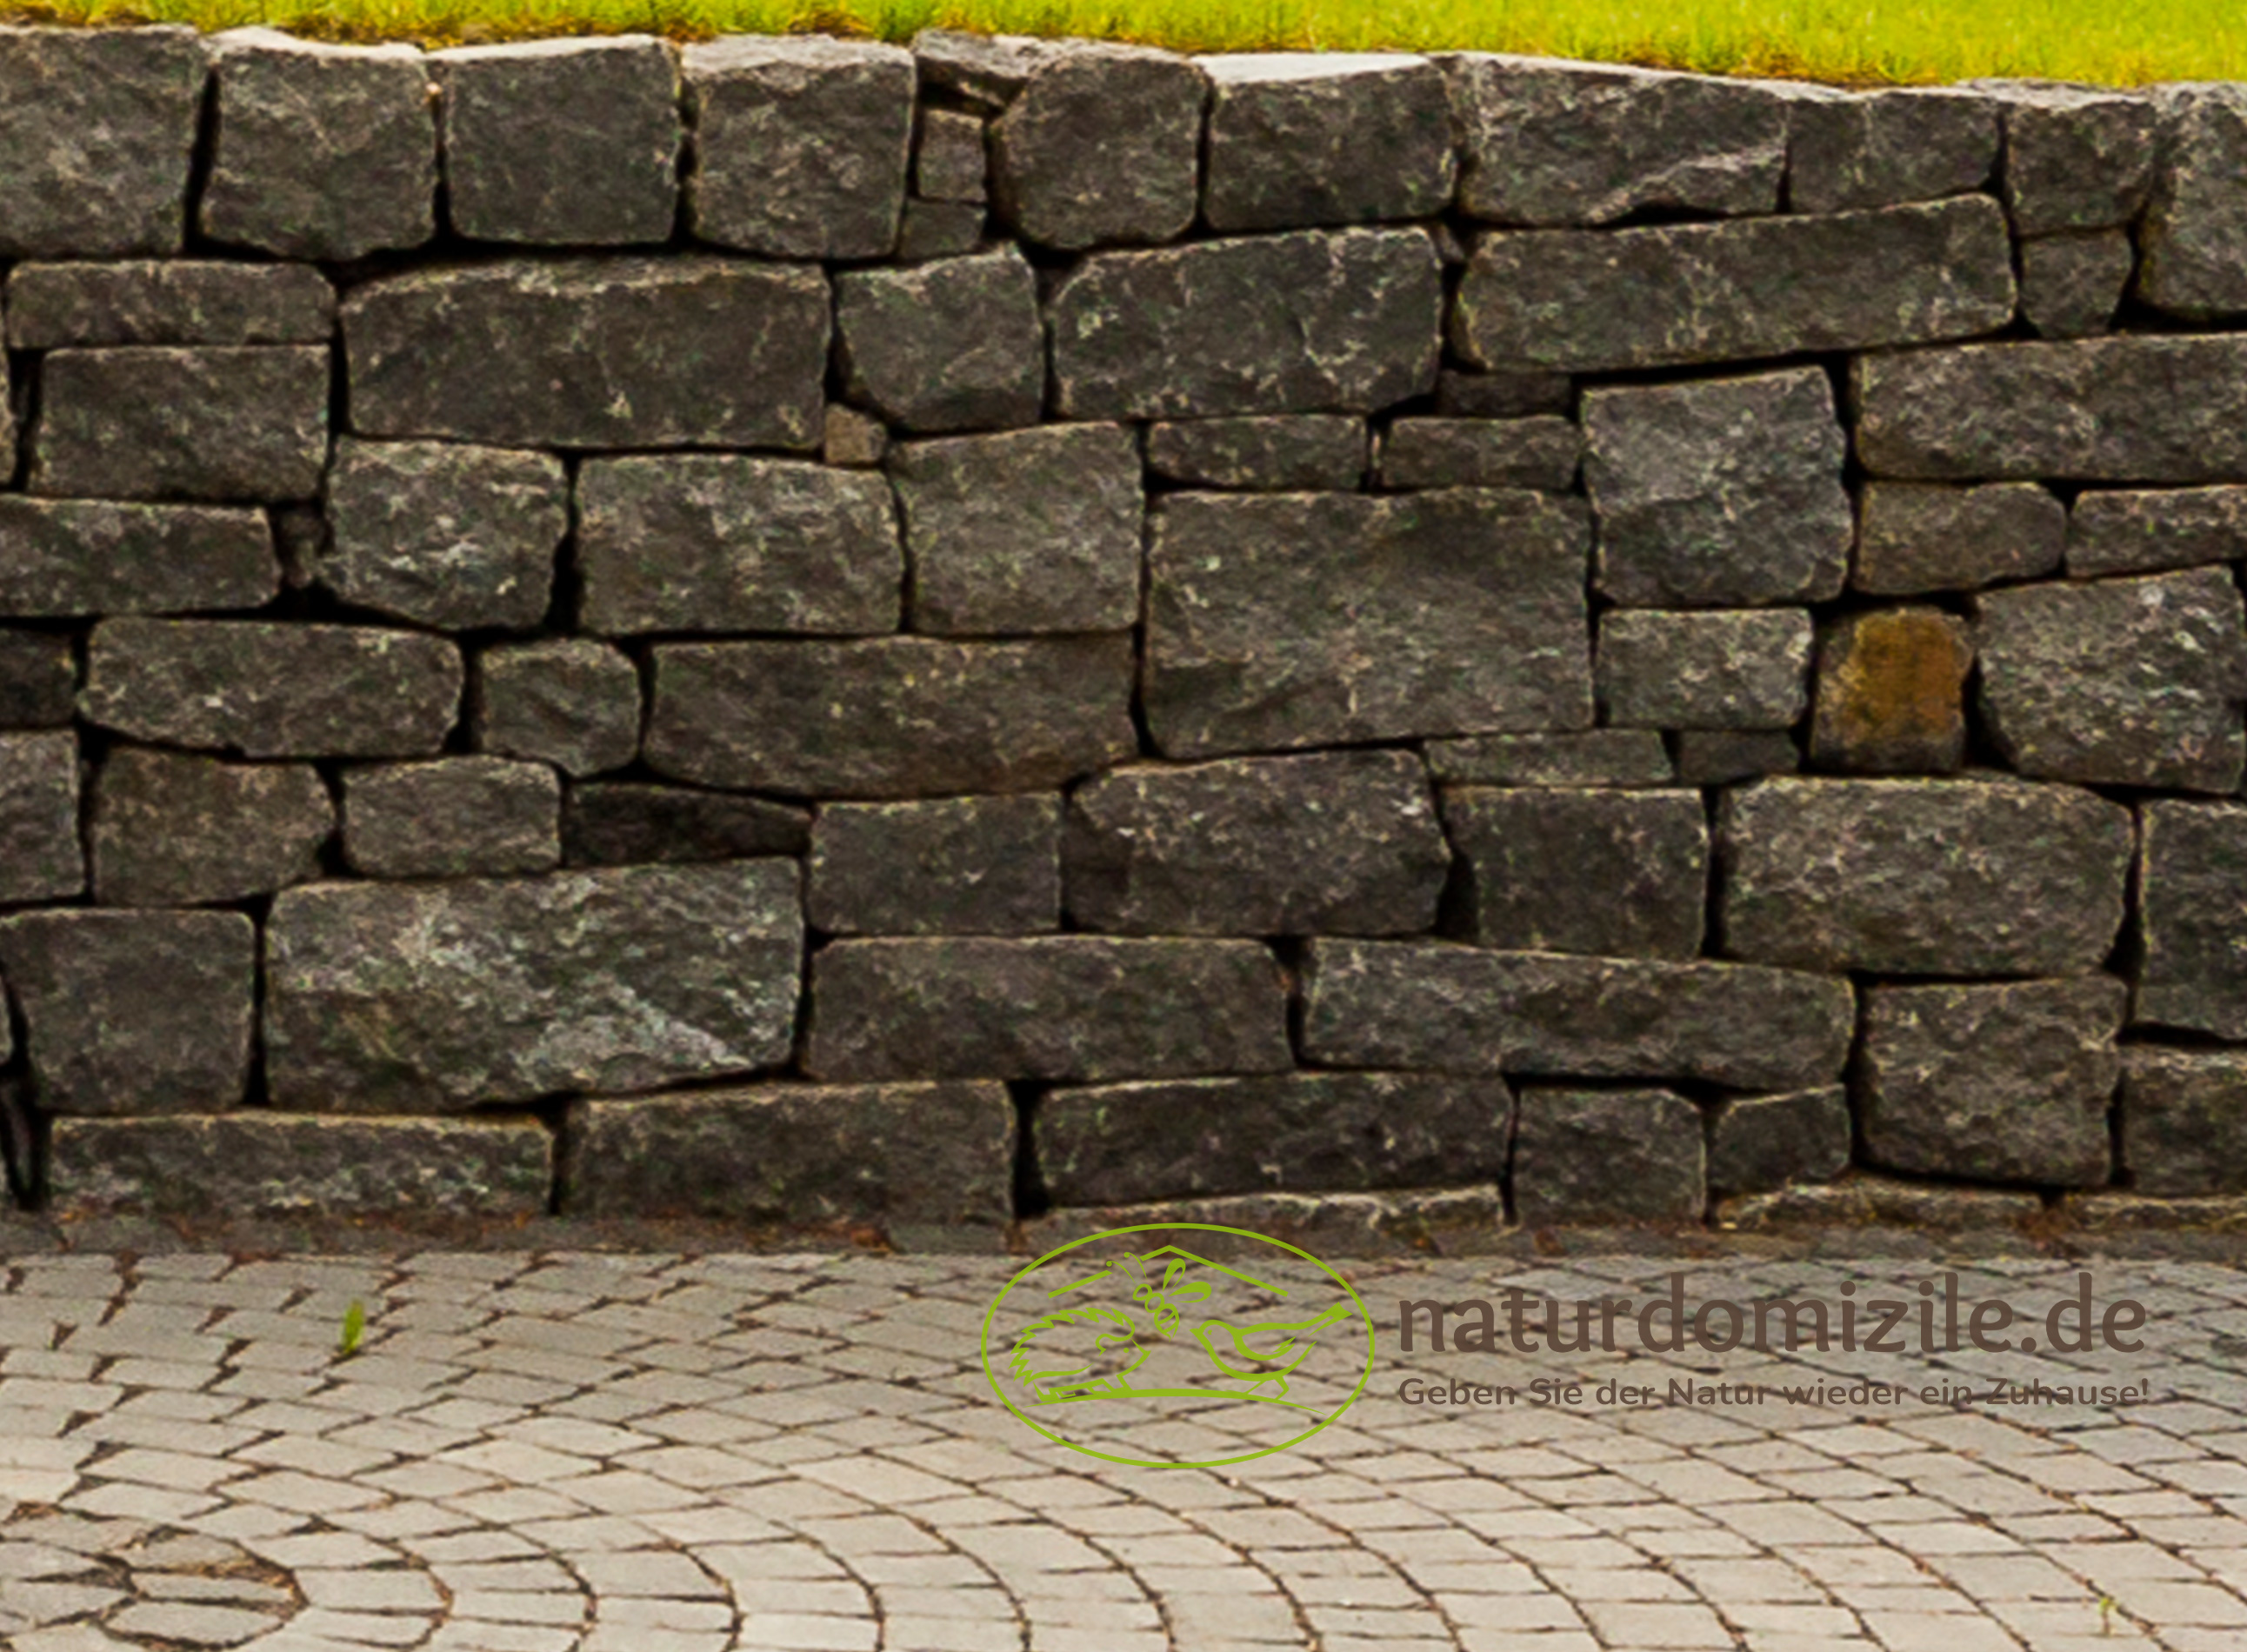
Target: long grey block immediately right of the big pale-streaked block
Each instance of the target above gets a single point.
(1046, 1008)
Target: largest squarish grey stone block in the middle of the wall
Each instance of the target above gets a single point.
(1464, 615)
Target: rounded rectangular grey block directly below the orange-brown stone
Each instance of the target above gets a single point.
(1922, 878)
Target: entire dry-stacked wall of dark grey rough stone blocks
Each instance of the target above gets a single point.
(810, 633)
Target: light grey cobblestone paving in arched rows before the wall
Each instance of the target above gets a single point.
(597, 1453)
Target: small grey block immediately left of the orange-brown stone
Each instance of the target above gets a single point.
(1743, 669)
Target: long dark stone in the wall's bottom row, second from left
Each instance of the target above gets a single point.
(889, 1154)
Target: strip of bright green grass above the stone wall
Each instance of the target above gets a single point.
(1844, 42)
